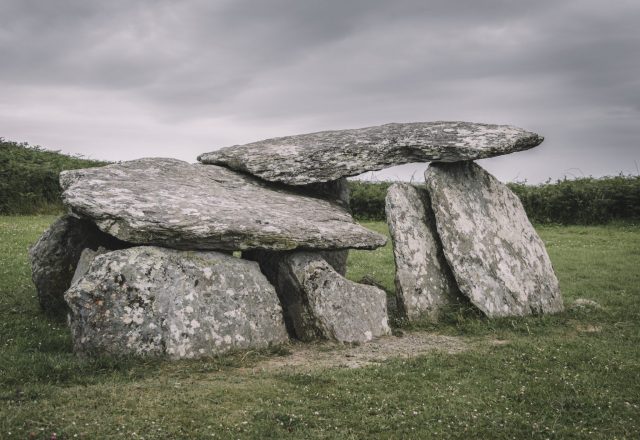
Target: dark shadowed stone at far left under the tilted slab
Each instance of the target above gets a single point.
(55, 255)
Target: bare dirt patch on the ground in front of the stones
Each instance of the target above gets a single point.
(321, 355)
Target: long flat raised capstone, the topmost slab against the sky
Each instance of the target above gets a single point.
(330, 155)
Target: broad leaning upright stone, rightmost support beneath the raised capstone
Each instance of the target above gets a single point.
(499, 261)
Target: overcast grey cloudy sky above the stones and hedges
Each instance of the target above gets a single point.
(119, 80)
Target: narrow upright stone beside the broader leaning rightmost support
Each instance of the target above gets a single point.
(424, 283)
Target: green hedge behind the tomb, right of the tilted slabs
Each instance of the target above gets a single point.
(583, 201)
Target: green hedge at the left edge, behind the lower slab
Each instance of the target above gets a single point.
(29, 177)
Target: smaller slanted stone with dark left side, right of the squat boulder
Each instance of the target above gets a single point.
(321, 304)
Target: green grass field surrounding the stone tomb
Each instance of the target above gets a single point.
(573, 375)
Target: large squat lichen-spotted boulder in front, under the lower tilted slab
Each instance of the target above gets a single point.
(156, 301)
